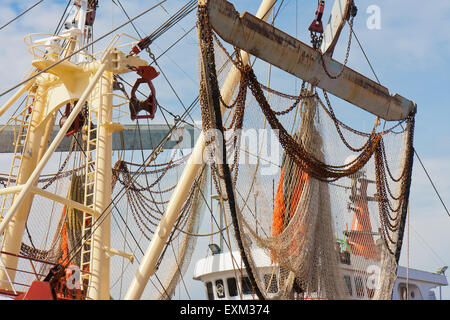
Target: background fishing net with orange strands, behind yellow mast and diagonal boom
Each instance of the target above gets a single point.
(54, 233)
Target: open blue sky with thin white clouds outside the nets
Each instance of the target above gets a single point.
(410, 54)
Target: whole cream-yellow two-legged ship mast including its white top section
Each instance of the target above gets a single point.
(79, 81)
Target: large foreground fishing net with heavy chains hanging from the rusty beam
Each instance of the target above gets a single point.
(325, 202)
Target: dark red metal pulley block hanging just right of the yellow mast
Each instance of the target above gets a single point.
(147, 73)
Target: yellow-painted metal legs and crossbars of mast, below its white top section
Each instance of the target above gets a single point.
(64, 83)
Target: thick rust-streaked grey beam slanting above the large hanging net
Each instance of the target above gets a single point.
(287, 53)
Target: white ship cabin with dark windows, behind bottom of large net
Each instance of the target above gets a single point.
(217, 272)
